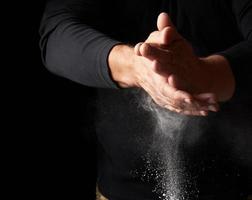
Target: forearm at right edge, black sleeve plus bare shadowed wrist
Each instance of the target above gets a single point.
(237, 59)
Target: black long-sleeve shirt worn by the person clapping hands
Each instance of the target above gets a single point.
(76, 38)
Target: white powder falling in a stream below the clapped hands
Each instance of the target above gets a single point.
(171, 177)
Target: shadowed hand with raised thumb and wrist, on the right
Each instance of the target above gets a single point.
(173, 56)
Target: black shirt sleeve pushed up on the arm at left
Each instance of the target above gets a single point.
(72, 43)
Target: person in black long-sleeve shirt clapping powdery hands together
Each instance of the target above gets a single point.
(191, 59)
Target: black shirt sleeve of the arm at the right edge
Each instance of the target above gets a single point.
(240, 55)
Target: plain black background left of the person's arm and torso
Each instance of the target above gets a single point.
(51, 142)
